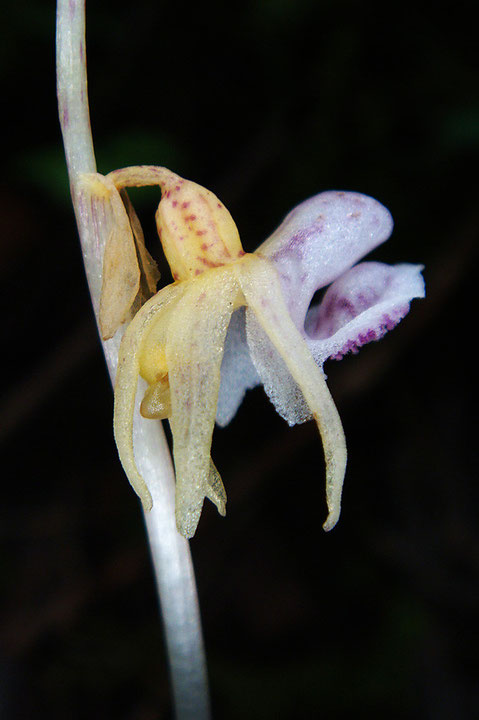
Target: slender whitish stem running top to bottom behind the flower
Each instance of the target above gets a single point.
(170, 552)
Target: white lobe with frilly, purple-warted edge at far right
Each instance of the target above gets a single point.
(361, 306)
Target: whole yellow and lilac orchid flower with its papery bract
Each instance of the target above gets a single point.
(231, 319)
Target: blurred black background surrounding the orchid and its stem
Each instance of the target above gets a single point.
(265, 102)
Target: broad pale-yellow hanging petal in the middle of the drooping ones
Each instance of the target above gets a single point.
(194, 351)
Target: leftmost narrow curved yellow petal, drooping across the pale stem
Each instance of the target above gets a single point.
(153, 312)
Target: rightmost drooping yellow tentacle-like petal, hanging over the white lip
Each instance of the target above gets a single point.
(262, 291)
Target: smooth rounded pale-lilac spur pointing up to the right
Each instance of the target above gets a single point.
(320, 240)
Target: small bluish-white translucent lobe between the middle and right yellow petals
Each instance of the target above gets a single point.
(238, 373)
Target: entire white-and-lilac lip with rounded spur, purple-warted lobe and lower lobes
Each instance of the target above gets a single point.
(318, 245)
